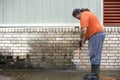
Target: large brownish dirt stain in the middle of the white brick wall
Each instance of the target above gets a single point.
(49, 52)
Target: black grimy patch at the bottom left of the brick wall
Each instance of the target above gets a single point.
(9, 62)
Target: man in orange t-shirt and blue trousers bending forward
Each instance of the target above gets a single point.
(92, 31)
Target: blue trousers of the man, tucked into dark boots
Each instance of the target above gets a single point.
(95, 48)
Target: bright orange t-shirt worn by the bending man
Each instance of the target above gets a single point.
(89, 20)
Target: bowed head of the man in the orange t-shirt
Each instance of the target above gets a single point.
(77, 12)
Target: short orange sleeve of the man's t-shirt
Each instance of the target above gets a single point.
(84, 21)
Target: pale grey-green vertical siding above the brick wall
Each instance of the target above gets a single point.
(44, 11)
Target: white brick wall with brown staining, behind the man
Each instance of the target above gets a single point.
(57, 47)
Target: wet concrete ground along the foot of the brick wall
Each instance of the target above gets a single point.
(50, 75)
